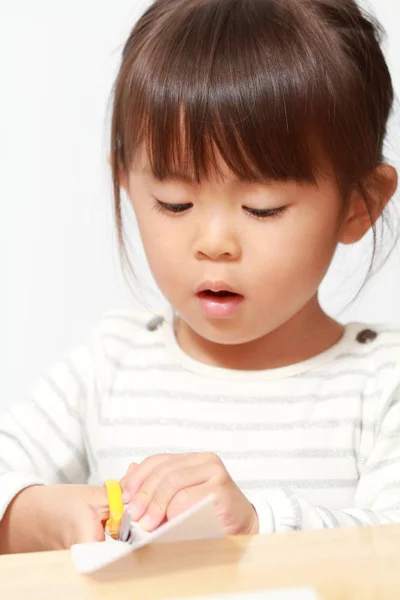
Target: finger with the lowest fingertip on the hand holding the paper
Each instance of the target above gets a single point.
(164, 489)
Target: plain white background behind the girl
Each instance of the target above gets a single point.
(59, 263)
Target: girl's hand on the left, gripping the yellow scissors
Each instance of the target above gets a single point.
(53, 517)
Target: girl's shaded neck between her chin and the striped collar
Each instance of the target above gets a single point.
(307, 334)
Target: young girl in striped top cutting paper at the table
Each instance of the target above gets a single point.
(248, 137)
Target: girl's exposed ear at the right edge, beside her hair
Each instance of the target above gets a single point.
(380, 185)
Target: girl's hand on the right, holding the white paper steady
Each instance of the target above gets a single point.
(165, 485)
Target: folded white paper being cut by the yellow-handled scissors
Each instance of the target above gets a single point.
(198, 522)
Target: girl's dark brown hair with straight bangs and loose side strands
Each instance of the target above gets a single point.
(271, 86)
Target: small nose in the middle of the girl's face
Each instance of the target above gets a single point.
(217, 240)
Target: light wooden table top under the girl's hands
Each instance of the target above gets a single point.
(341, 564)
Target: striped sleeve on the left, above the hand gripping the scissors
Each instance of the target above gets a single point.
(42, 438)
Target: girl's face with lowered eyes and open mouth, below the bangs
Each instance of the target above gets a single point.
(271, 244)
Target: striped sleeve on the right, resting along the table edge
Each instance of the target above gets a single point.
(377, 498)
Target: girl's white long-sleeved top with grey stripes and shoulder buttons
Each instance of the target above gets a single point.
(312, 445)
